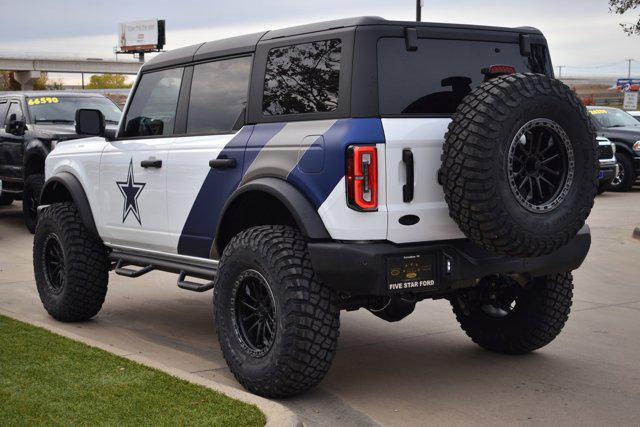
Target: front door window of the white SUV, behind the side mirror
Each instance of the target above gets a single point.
(153, 108)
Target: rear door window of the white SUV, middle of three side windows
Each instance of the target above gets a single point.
(218, 95)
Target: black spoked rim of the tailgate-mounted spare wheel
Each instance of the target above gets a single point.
(540, 165)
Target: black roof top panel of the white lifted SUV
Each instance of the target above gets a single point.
(247, 43)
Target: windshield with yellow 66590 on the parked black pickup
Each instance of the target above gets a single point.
(62, 109)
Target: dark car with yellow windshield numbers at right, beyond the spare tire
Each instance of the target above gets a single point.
(624, 131)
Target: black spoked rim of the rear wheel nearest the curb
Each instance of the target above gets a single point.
(255, 313)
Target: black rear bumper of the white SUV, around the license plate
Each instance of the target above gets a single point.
(357, 269)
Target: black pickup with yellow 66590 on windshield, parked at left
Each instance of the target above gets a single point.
(32, 124)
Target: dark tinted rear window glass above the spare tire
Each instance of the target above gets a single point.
(440, 73)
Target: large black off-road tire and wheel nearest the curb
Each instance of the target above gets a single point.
(276, 321)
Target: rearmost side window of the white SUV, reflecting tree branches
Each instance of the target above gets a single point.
(302, 78)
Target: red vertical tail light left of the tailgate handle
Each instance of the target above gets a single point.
(362, 177)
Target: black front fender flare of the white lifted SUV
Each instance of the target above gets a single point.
(57, 187)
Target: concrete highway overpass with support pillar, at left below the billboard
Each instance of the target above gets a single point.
(27, 69)
